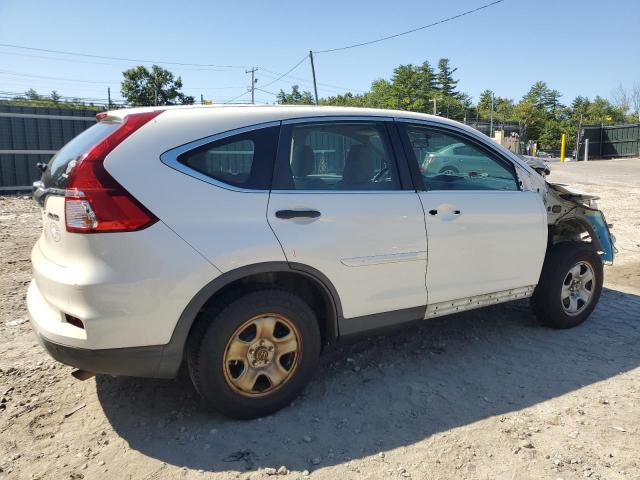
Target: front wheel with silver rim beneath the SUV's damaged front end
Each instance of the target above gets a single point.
(570, 285)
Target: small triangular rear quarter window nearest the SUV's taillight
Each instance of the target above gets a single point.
(244, 160)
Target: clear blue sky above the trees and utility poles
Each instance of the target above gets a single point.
(579, 47)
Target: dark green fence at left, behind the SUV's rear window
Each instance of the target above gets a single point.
(29, 135)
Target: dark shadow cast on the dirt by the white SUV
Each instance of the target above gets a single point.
(385, 392)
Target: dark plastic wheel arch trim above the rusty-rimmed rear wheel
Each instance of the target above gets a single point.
(313, 286)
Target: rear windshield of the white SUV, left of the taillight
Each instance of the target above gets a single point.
(59, 167)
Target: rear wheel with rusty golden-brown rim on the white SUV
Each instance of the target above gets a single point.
(255, 355)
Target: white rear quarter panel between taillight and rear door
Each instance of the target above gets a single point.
(227, 227)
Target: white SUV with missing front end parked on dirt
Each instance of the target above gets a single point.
(241, 240)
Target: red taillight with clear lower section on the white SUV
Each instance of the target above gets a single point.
(94, 201)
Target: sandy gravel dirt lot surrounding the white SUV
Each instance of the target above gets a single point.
(486, 394)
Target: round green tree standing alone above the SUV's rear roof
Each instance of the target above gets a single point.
(143, 87)
